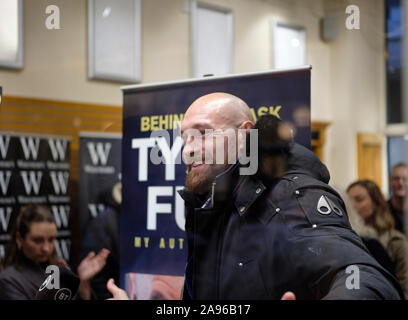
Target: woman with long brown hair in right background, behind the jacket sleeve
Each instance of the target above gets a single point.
(370, 204)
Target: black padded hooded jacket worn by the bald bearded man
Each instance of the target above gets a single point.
(257, 241)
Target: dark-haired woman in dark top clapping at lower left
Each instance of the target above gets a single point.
(32, 249)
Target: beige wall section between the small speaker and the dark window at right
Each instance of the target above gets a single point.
(357, 86)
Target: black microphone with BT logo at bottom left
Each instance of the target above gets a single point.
(64, 287)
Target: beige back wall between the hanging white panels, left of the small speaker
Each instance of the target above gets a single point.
(59, 57)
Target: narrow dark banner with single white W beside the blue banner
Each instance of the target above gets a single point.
(100, 170)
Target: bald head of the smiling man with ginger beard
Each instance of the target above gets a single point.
(216, 112)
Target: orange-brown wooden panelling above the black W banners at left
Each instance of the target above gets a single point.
(60, 118)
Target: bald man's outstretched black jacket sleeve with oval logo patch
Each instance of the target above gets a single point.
(329, 256)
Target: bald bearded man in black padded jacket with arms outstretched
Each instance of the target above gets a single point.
(280, 233)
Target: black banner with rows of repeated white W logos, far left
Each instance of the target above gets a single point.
(35, 170)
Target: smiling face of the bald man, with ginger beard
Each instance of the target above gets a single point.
(199, 146)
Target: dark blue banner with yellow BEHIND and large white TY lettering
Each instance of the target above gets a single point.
(152, 237)
